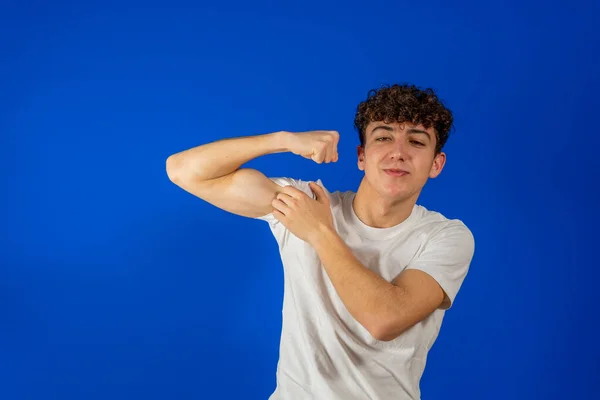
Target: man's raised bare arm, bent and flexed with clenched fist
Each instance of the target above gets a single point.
(213, 171)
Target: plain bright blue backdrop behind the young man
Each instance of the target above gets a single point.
(116, 284)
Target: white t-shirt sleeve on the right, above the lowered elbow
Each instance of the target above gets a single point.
(447, 258)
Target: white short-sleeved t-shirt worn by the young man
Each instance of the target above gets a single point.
(324, 352)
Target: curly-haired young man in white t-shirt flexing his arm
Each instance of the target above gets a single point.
(368, 274)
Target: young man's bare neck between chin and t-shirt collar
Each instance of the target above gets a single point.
(381, 212)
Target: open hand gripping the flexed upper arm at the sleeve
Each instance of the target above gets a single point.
(304, 217)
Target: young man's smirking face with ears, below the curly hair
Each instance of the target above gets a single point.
(405, 147)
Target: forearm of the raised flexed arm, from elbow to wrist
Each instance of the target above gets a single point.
(222, 157)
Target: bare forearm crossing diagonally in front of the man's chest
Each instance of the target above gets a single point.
(369, 298)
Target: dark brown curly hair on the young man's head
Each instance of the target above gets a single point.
(405, 103)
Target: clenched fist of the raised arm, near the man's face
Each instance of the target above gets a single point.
(319, 146)
